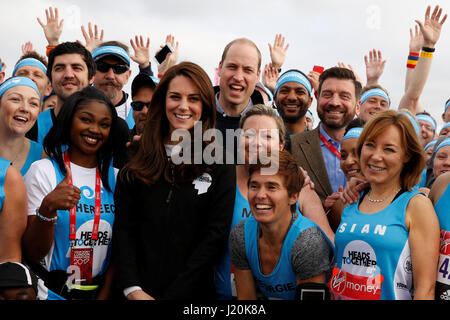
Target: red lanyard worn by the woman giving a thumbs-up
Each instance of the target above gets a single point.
(98, 203)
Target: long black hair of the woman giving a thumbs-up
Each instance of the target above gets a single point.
(59, 134)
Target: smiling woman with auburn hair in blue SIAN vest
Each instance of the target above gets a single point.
(387, 244)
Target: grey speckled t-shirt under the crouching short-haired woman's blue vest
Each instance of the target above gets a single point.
(310, 255)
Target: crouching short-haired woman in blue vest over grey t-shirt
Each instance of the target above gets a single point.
(277, 249)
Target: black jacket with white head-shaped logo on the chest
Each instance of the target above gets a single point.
(167, 238)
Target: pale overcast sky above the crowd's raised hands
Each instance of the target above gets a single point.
(320, 32)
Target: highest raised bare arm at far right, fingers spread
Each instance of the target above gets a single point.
(431, 30)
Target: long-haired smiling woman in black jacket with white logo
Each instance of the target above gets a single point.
(173, 210)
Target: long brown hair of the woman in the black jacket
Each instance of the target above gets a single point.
(150, 161)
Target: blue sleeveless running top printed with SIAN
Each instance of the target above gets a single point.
(373, 259)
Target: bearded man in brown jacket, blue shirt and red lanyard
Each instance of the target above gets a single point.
(338, 103)
